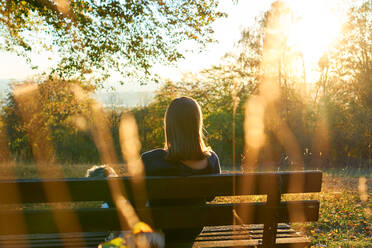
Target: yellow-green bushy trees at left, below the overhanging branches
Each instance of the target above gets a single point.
(58, 112)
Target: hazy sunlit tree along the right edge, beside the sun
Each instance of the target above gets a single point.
(348, 97)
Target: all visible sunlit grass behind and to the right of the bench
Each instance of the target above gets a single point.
(345, 218)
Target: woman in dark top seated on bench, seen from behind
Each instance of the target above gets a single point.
(185, 154)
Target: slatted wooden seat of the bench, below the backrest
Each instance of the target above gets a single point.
(211, 237)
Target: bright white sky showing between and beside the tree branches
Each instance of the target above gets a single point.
(227, 32)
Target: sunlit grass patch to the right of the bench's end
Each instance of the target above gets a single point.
(345, 218)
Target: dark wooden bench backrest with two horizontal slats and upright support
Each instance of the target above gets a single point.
(271, 212)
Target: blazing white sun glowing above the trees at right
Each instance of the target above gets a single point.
(316, 27)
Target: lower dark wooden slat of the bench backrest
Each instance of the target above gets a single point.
(97, 219)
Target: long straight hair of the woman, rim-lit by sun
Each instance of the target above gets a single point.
(183, 126)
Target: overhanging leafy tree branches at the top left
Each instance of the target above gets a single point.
(93, 38)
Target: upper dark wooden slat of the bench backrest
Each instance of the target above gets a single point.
(88, 189)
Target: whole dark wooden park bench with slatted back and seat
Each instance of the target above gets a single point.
(86, 227)
